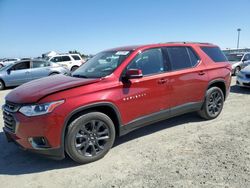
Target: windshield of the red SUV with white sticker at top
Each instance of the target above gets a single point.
(102, 64)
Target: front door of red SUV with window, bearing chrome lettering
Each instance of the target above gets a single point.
(144, 96)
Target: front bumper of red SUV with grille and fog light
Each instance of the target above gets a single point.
(27, 132)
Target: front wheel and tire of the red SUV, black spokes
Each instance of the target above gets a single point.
(89, 137)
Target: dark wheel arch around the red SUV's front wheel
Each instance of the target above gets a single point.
(105, 107)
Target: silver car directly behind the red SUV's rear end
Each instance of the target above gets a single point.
(238, 61)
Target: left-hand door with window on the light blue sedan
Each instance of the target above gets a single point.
(19, 73)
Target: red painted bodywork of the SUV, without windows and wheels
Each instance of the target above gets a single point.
(144, 96)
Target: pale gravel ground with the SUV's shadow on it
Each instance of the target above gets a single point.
(180, 152)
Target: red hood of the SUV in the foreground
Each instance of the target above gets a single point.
(33, 91)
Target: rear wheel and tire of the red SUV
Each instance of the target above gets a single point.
(213, 103)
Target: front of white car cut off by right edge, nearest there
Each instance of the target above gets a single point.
(243, 77)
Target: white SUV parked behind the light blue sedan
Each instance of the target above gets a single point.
(70, 61)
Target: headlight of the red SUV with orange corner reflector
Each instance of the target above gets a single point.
(39, 109)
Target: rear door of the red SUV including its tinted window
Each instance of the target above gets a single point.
(187, 80)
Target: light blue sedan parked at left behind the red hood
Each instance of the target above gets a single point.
(24, 71)
